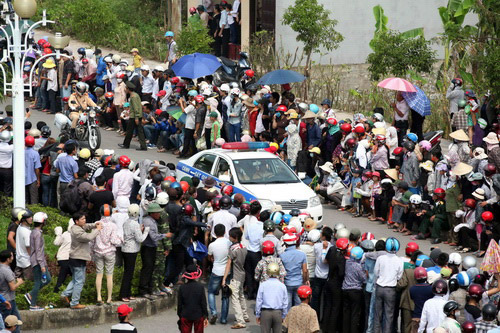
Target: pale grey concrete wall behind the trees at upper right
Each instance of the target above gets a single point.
(357, 24)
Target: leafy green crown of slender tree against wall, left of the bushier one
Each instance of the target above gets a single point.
(313, 25)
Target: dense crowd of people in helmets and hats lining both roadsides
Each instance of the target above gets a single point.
(303, 276)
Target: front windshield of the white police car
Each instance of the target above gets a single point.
(264, 171)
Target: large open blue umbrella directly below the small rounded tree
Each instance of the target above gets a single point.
(196, 65)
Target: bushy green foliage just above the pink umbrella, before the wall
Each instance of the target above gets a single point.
(396, 55)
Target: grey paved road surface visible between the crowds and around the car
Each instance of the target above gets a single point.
(167, 320)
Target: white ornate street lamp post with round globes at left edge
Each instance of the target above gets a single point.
(16, 17)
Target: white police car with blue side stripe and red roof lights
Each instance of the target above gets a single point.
(257, 175)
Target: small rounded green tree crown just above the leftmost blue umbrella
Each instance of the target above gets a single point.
(193, 38)
